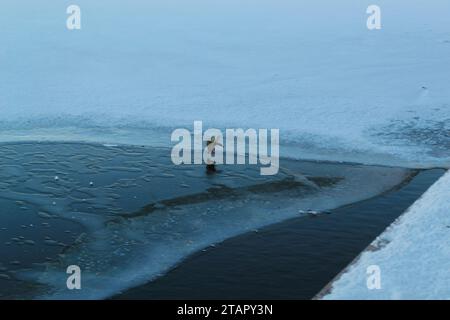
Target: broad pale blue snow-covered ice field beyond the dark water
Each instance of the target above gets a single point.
(336, 90)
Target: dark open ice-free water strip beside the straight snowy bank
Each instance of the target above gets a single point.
(294, 259)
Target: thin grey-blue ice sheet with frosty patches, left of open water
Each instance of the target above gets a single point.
(142, 215)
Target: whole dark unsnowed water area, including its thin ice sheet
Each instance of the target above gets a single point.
(126, 215)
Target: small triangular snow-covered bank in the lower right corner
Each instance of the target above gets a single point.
(413, 254)
